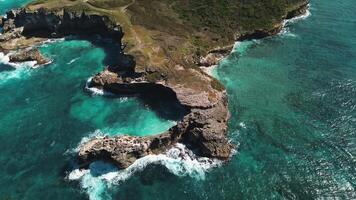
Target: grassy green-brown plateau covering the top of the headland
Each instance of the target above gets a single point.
(166, 35)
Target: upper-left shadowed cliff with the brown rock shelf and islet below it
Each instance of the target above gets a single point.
(20, 25)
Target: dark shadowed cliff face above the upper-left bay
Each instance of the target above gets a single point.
(59, 23)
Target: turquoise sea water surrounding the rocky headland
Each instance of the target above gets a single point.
(292, 100)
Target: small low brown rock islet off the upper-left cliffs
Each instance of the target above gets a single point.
(29, 55)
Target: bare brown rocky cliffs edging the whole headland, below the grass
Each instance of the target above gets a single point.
(203, 129)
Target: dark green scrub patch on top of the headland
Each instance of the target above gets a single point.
(229, 16)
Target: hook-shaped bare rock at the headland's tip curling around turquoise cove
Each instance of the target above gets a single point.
(203, 129)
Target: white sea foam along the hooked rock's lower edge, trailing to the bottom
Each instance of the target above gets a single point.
(178, 160)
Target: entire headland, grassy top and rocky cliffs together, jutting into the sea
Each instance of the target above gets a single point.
(159, 56)
